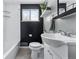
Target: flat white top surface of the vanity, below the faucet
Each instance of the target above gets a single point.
(58, 36)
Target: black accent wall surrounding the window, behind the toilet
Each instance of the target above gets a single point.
(34, 28)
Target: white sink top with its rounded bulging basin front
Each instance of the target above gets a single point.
(56, 39)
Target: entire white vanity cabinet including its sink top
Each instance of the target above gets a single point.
(58, 46)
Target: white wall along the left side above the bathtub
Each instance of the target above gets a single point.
(11, 27)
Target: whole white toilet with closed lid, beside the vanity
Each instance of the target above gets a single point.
(35, 47)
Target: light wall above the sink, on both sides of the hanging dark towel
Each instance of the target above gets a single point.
(66, 24)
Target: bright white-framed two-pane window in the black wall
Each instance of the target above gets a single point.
(30, 14)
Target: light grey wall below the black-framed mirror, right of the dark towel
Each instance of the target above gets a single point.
(66, 24)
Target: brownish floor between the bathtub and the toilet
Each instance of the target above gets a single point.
(23, 53)
